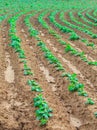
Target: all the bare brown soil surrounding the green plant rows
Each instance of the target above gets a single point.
(16, 99)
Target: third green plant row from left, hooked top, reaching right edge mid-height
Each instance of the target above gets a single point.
(68, 47)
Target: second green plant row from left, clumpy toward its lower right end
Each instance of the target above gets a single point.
(74, 84)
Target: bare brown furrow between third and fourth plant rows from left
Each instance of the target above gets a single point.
(88, 50)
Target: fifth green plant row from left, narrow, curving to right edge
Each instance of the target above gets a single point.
(62, 18)
